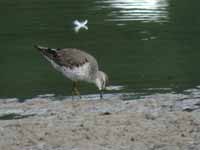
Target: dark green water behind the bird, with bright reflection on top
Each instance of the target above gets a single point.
(138, 43)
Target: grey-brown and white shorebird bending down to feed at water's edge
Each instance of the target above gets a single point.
(77, 65)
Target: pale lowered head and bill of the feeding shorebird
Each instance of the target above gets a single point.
(101, 81)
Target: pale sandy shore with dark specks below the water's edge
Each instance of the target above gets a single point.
(43, 124)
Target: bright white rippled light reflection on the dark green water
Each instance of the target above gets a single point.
(136, 10)
